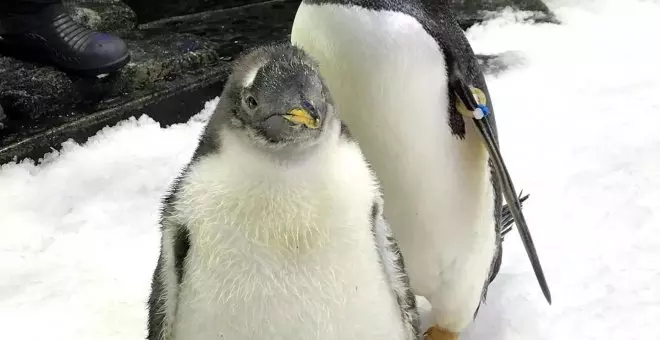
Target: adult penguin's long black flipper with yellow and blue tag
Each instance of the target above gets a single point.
(464, 93)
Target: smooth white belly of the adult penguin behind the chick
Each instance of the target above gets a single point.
(389, 80)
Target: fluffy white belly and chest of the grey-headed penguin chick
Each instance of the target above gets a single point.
(294, 259)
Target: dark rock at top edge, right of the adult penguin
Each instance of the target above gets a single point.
(470, 12)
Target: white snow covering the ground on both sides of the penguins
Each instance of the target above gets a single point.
(577, 121)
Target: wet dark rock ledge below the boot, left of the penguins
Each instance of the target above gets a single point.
(182, 61)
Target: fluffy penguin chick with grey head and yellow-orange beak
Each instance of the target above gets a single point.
(275, 228)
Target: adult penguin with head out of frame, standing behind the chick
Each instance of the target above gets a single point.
(408, 85)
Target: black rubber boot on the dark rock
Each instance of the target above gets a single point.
(52, 36)
